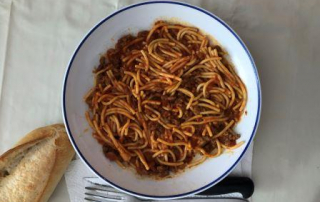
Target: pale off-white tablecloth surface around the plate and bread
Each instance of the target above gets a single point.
(38, 37)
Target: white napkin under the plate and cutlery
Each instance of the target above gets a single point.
(77, 171)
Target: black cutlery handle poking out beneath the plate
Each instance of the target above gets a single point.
(243, 185)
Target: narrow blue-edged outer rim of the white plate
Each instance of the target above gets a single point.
(64, 113)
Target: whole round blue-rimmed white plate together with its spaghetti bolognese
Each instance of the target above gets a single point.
(161, 99)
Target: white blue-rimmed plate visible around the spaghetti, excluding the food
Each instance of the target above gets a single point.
(79, 79)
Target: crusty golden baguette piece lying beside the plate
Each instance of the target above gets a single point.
(31, 170)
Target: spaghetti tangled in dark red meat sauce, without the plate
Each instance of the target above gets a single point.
(165, 100)
